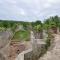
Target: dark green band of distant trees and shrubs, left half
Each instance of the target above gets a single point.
(13, 24)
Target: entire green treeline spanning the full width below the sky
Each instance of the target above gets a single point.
(49, 23)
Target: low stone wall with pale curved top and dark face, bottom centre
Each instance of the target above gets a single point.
(30, 54)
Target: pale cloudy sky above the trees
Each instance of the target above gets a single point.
(28, 10)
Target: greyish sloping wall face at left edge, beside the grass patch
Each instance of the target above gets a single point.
(4, 39)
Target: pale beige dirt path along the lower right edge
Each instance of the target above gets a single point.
(53, 54)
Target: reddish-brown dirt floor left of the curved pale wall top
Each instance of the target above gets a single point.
(16, 48)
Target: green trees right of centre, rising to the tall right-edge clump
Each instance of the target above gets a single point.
(52, 23)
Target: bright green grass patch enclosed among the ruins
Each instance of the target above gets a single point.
(22, 36)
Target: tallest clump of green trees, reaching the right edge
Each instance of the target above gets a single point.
(52, 23)
